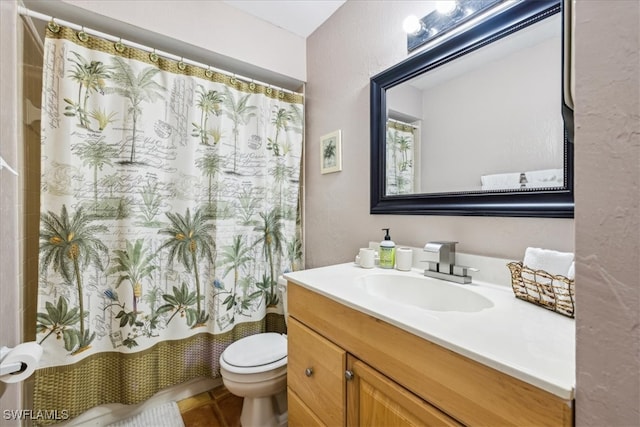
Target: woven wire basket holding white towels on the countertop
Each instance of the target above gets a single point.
(555, 293)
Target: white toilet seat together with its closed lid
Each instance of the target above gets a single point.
(255, 353)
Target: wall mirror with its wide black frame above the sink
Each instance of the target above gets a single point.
(519, 165)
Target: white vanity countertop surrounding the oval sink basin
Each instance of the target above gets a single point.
(518, 338)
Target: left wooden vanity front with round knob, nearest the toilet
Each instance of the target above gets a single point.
(315, 373)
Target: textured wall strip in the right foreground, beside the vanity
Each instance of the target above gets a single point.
(607, 225)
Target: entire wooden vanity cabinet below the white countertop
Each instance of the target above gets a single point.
(346, 367)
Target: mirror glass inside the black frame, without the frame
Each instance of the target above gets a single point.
(490, 120)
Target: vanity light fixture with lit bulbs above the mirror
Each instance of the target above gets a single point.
(449, 17)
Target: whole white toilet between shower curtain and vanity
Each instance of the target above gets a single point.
(255, 368)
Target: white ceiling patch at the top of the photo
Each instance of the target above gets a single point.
(300, 17)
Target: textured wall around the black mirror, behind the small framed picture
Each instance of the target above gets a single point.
(360, 40)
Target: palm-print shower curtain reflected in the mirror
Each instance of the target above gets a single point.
(400, 155)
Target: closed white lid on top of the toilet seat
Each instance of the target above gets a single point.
(256, 350)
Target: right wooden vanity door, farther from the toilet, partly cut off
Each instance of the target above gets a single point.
(375, 400)
